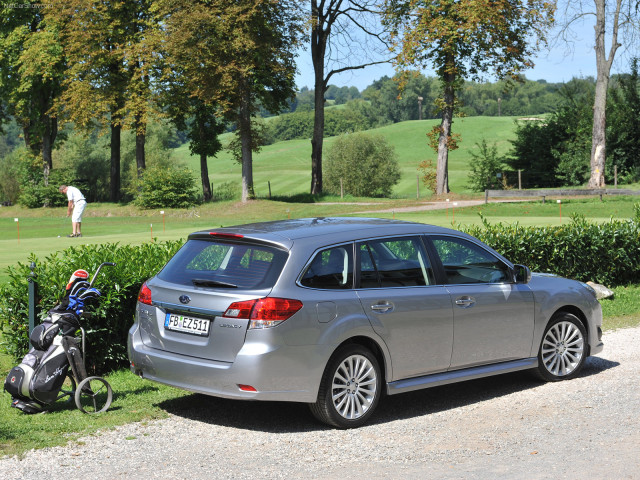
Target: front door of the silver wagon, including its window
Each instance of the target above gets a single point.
(493, 317)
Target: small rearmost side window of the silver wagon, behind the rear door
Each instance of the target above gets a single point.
(330, 269)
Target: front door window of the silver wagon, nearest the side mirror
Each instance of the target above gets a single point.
(466, 262)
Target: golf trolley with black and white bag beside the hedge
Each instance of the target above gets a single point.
(55, 368)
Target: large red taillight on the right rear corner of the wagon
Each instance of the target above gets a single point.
(264, 312)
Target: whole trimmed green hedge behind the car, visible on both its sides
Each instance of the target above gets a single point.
(607, 253)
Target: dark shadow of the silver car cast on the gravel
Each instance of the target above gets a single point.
(284, 417)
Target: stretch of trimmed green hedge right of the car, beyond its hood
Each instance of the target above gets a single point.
(606, 253)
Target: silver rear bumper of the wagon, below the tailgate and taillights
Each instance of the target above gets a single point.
(278, 373)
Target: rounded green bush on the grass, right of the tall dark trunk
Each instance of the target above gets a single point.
(366, 164)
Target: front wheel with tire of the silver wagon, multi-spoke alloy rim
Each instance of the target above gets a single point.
(563, 349)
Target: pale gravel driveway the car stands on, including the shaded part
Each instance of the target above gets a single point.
(504, 427)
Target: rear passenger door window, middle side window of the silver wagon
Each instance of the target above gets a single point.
(397, 262)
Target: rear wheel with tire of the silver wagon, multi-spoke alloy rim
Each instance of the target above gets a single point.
(350, 389)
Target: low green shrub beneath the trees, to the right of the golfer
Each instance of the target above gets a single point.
(166, 187)
